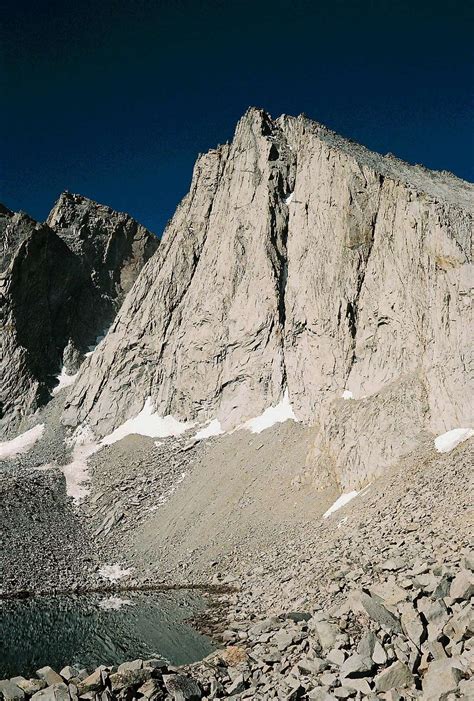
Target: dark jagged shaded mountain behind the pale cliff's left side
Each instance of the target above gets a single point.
(53, 301)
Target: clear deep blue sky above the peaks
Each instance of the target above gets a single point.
(114, 99)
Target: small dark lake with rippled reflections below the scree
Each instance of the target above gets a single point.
(93, 629)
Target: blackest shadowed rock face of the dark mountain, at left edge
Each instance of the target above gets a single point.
(40, 281)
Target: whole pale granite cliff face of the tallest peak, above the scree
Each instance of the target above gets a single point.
(298, 260)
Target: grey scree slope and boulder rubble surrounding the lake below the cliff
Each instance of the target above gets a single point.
(372, 602)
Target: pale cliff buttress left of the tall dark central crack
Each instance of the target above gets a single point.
(201, 331)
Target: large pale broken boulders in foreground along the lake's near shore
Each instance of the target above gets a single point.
(409, 638)
